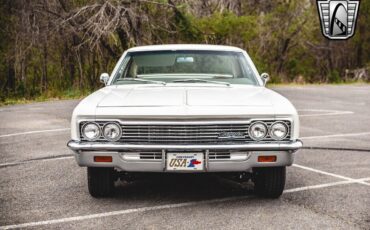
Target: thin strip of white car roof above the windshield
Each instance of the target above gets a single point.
(185, 47)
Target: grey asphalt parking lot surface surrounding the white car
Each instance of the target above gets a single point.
(41, 187)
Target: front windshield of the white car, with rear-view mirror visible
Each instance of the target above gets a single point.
(161, 67)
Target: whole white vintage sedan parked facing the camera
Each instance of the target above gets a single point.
(185, 109)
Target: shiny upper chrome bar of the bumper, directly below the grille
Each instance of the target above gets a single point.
(99, 146)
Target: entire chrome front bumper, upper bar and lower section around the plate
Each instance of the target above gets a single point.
(85, 152)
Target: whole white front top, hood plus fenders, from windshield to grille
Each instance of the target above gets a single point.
(184, 102)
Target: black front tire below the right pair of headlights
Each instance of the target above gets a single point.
(270, 181)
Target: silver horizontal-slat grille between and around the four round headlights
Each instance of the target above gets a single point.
(187, 134)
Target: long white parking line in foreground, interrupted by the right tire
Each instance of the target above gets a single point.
(162, 207)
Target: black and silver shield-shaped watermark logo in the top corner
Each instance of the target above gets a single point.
(338, 18)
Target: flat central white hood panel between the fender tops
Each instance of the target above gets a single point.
(145, 96)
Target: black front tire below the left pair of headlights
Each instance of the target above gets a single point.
(100, 181)
